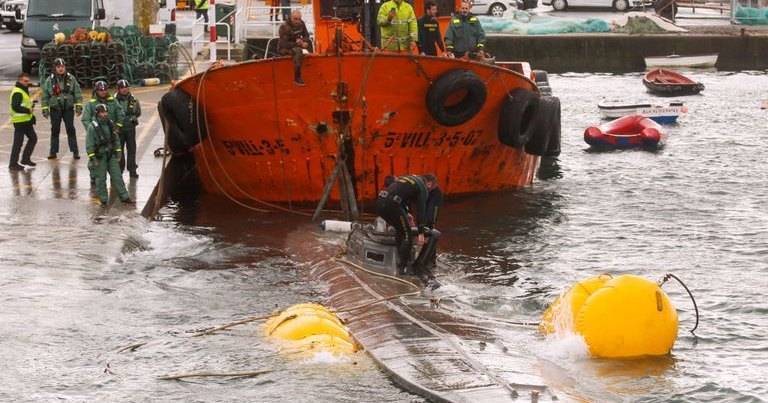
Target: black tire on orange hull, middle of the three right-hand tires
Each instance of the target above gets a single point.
(518, 112)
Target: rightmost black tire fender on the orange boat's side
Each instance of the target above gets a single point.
(546, 138)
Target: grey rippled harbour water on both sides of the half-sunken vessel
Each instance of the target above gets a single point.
(99, 311)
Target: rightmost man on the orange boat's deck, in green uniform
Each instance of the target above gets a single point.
(465, 35)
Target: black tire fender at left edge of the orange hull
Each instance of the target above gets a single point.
(179, 112)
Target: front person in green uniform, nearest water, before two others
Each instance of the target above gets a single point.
(103, 147)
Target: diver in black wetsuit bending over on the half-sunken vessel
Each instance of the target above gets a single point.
(393, 204)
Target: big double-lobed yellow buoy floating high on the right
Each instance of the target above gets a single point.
(625, 316)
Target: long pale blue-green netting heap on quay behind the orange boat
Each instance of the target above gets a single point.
(542, 25)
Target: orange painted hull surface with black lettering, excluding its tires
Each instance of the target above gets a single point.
(271, 140)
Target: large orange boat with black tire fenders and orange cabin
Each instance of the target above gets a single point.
(363, 114)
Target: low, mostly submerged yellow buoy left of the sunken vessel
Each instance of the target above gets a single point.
(311, 327)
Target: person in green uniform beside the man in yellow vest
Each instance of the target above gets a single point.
(62, 99)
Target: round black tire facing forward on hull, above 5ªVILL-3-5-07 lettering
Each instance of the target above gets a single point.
(449, 86)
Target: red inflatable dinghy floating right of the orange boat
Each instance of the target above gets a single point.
(627, 132)
